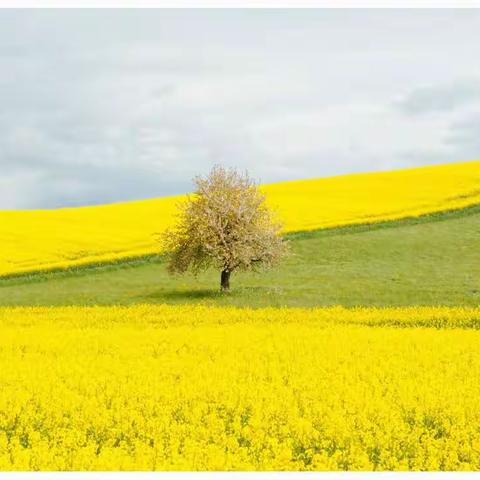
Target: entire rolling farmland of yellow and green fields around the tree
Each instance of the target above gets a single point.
(95, 376)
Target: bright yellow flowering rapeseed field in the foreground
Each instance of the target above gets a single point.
(171, 388)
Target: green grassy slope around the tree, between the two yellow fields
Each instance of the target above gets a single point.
(433, 260)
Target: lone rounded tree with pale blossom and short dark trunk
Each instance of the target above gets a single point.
(225, 224)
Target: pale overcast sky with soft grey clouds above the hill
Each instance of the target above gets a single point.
(107, 105)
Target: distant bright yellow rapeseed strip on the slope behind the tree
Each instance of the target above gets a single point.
(48, 239)
